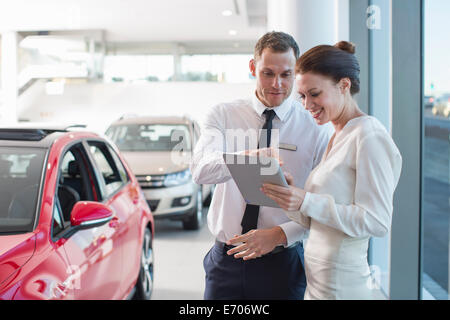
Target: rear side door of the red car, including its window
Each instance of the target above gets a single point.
(122, 197)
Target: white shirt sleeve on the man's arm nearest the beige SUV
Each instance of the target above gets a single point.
(207, 164)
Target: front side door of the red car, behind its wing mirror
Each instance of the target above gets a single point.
(95, 253)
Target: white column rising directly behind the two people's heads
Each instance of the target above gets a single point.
(310, 22)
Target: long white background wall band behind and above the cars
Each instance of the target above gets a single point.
(98, 104)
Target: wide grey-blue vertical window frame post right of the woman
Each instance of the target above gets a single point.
(407, 132)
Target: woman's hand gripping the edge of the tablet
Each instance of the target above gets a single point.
(288, 198)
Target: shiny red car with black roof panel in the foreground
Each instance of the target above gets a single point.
(74, 223)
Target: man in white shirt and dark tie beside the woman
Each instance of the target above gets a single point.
(267, 261)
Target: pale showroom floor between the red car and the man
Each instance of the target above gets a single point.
(179, 272)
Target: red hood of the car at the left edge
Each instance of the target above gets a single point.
(15, 251)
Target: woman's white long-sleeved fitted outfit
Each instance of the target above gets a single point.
(349, 199)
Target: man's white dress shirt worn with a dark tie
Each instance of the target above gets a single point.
(244, 118)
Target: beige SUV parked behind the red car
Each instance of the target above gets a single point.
(158, 150)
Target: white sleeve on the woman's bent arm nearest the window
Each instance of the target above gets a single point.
(378, 166)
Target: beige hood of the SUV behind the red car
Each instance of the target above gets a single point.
(157, 162)
